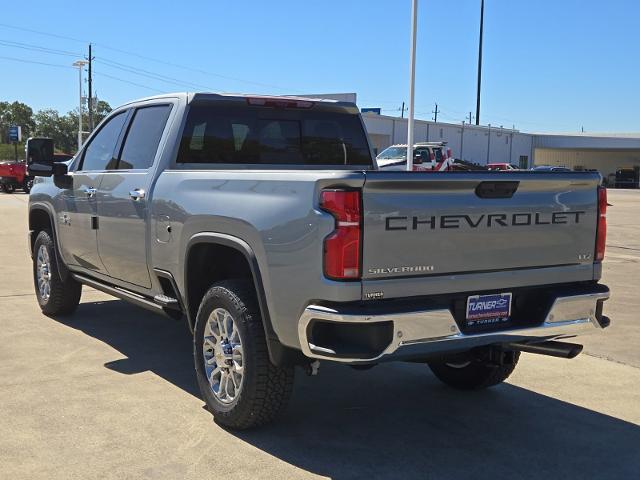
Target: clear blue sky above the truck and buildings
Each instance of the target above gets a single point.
(548, 65)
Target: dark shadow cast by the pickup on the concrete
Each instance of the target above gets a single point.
(395, 420)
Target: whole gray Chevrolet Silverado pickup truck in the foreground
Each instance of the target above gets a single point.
(265, 224)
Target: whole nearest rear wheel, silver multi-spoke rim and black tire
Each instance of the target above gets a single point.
(240, 385)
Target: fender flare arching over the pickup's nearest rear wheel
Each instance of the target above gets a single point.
(278, 353)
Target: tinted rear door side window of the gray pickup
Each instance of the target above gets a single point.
(143, 137)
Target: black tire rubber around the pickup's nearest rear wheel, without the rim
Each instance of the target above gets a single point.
(266, 388)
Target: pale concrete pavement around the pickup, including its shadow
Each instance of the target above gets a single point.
(110, 393)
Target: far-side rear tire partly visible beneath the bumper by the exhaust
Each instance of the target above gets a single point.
(473, 375)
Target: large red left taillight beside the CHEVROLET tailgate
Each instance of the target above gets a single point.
(342, 247)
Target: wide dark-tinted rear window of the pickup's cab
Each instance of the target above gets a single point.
(246, 134)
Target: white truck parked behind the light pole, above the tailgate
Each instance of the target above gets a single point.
(432, 156)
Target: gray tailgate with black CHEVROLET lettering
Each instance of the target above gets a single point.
(425, 224)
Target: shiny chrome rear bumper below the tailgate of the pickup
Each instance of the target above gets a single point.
(425, 332)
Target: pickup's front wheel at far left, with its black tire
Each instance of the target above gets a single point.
(62, 296)
